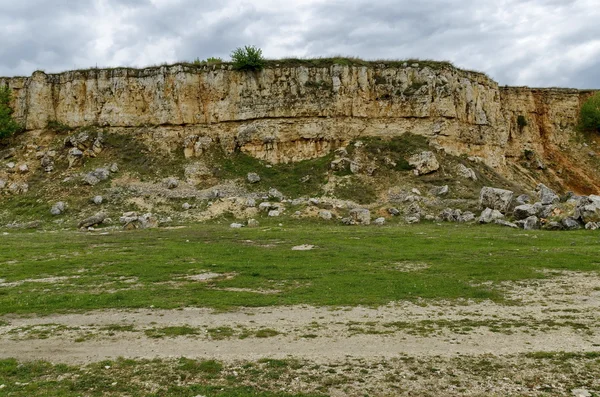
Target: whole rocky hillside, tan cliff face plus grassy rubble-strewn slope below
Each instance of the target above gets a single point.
(176, 140)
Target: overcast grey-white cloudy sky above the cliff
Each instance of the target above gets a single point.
(538, 43)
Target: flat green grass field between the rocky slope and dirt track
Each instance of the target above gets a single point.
(60, 271)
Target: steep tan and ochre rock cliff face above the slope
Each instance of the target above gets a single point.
(293, 113)
